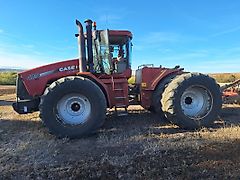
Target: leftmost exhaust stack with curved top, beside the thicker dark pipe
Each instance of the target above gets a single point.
(81, 46)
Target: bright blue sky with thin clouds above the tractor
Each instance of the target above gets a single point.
(199, 35)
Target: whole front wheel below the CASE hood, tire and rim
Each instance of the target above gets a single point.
(73, 107)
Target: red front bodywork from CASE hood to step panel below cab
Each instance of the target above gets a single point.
(36, 80)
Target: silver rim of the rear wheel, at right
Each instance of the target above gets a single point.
(196, 102)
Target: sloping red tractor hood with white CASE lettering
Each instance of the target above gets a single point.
(35, 80)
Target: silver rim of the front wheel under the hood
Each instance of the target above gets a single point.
(73, 109)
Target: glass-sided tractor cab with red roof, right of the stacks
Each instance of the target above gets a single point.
(112, 51)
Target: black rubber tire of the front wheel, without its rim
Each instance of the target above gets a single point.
(84, 87)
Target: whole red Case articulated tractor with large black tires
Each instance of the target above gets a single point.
(74, 95)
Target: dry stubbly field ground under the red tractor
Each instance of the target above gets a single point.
(137, 146)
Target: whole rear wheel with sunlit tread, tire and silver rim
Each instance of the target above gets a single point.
(192, 101)
